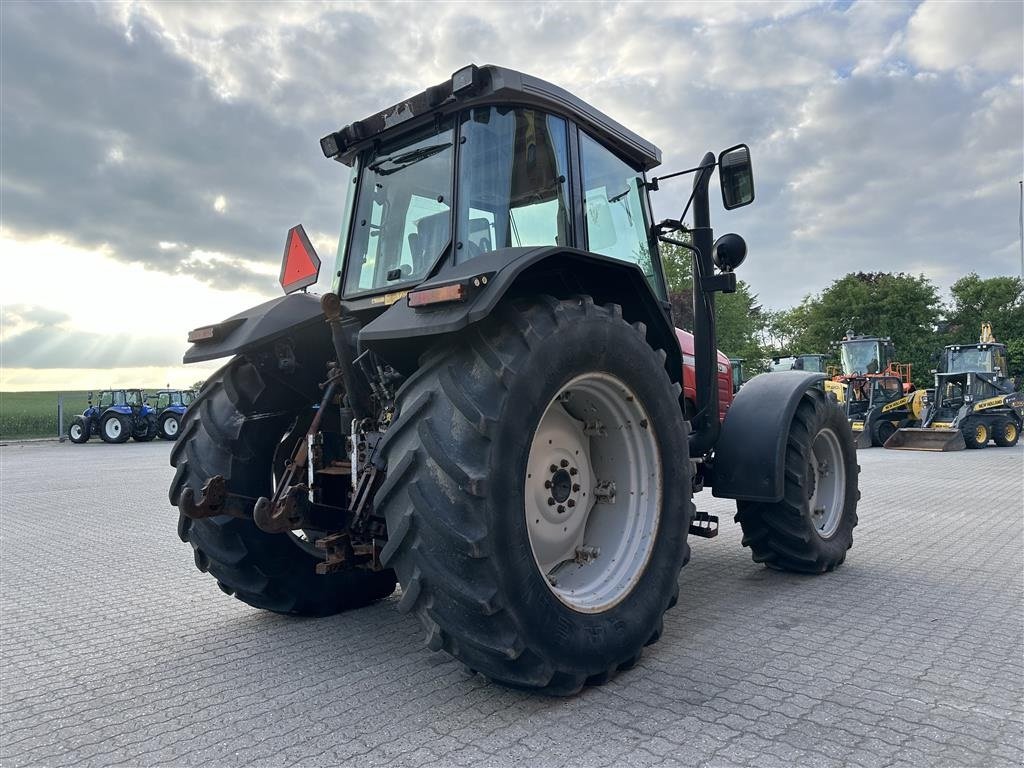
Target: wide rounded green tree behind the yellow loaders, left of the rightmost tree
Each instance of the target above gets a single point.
(903, 307)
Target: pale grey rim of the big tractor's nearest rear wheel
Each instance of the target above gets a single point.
(593, 493)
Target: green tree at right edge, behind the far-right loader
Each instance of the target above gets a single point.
(996, 301)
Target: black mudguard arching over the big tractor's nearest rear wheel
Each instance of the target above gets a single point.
(399, 334)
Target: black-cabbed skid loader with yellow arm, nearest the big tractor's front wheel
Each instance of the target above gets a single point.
(877, 407)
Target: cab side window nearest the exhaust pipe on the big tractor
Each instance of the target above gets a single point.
(617, 224)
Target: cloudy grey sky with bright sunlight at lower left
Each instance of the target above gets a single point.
(154, 155)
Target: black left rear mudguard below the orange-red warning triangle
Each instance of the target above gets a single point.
(258, 326)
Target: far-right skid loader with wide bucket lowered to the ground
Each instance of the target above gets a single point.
(973, 402)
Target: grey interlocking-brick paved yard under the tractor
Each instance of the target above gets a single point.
(117, 652)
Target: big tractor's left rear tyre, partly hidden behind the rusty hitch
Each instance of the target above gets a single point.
(234, 430)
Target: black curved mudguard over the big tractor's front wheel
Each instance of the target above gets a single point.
(750, 457)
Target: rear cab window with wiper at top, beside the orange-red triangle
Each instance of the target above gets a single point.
(403, 221)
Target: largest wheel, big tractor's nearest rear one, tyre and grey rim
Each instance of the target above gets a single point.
(466, 504)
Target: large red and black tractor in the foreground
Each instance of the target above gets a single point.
(487, 407)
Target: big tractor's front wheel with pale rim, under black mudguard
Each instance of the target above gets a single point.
(796, 534)
